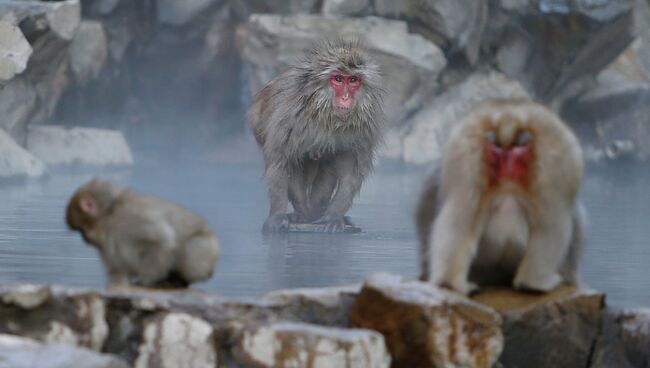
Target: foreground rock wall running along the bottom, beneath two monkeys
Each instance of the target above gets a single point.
(386, 322)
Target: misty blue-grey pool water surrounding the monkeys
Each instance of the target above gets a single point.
(36, 246)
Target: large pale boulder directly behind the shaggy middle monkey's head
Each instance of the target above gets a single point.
(409, 63)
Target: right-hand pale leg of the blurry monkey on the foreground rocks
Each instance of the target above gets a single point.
(547, 249)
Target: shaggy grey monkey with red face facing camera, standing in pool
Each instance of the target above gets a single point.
(318, 125)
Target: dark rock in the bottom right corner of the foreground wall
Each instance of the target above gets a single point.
(624, 340)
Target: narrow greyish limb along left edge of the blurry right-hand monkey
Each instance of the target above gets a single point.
(424, 216)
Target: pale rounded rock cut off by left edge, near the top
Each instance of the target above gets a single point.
(14, 51)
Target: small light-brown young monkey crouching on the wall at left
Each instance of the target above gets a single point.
(142, 240)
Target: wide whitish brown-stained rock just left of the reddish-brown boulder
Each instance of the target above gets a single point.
(284, 344)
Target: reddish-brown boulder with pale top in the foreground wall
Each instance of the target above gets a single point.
(428, 327)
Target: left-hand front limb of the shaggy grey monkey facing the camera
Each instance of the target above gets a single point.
(277, 178)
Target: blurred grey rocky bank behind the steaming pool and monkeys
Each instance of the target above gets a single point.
(176, 77)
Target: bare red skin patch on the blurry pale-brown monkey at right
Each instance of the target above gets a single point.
(509, 162)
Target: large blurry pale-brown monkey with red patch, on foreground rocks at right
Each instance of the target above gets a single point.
(503, 205)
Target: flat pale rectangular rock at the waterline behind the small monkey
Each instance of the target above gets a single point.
(57, 145)
